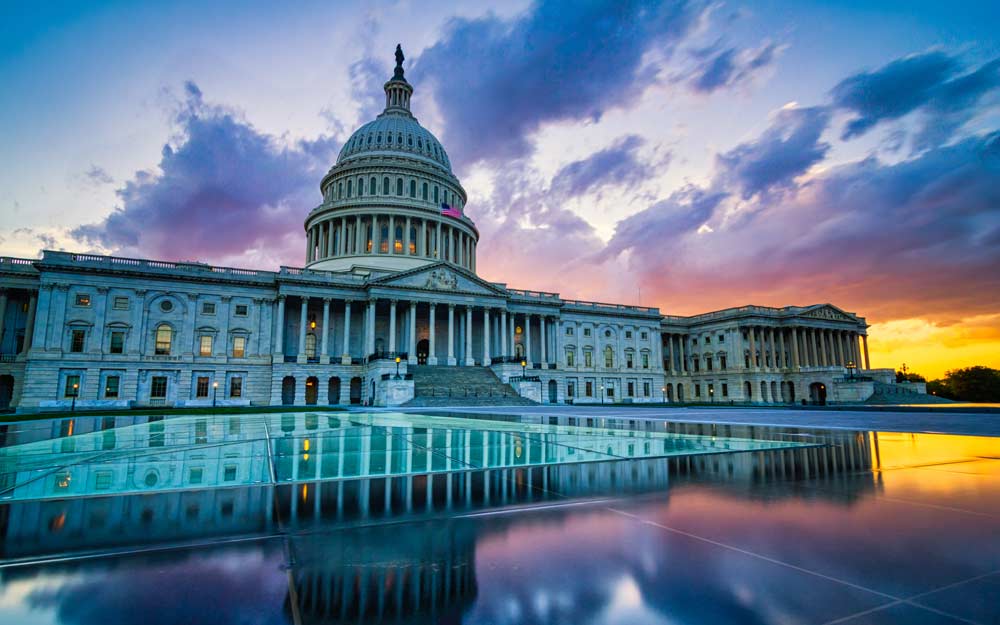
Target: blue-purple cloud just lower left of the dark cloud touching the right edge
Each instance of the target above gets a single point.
(787, 149)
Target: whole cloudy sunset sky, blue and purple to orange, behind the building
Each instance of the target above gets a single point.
(687, 155)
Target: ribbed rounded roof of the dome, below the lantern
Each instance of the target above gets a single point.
(394, 134)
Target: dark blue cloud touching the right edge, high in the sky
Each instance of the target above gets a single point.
(932, 82)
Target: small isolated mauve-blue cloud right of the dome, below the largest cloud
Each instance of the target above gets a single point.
(616, 165)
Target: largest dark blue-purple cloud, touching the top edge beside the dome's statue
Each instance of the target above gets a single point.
(497, 81)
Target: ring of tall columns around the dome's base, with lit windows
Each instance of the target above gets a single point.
(357, 234)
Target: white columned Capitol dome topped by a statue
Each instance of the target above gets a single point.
(391, 201)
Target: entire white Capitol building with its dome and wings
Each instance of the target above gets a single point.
(388, 310)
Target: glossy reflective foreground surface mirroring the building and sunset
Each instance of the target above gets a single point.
(396, 518)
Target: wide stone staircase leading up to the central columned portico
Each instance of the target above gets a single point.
(461, 386)
